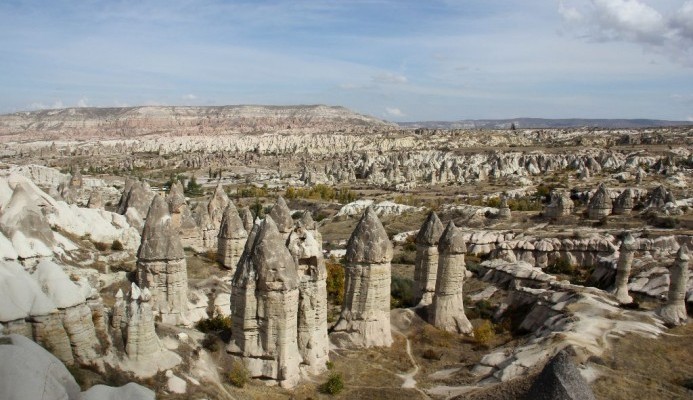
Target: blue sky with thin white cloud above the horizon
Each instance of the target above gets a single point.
(398, 60)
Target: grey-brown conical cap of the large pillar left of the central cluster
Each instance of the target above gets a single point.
(160, 242)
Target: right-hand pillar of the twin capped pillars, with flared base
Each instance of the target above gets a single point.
(447, 310)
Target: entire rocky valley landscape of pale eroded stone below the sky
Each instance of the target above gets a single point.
(310, 252)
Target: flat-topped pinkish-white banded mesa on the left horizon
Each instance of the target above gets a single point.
(81, 123)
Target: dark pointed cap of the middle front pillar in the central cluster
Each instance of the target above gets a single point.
(276, 269)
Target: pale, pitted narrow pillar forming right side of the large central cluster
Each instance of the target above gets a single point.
(313, 343)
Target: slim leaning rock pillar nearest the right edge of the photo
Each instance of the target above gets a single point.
(674, 312)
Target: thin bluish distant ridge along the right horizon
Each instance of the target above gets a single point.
(543, 123)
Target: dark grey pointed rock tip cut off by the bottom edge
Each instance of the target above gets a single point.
(560, 380)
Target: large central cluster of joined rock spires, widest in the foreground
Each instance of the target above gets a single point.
(279, 301)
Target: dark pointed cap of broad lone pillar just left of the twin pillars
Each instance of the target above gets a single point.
(369, 242)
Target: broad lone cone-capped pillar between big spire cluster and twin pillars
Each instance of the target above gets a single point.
(365, 317)
